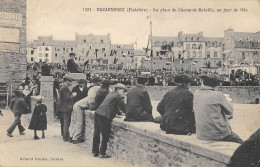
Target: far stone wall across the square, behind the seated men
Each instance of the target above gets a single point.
(239, 94)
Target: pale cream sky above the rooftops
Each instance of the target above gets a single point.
(63, 18)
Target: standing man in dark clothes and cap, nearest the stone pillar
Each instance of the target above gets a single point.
(66, 102)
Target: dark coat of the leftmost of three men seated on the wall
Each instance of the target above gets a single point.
(139, 107)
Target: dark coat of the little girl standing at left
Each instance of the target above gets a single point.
(39, 119)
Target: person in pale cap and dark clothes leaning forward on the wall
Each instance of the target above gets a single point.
(106, 112)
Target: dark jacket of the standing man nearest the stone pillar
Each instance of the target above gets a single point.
(66, 99)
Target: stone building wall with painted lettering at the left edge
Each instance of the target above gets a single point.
(13, 40)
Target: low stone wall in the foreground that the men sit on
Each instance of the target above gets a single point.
(145, 144)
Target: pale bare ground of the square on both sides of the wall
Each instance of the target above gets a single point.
(52, 151)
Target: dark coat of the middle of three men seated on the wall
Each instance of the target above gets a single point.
(176, 109)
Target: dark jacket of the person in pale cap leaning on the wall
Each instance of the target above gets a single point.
(111, 105)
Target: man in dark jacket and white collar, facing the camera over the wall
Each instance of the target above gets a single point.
(81, 90)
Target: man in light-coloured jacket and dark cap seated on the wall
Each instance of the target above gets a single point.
(212, 110)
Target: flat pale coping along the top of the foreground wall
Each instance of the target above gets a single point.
(216, 150)
